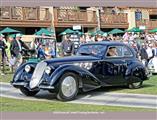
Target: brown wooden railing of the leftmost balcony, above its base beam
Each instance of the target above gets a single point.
(24, 13)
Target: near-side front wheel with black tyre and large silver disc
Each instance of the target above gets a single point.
(67, 87)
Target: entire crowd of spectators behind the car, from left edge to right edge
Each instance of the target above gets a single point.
(11, 47)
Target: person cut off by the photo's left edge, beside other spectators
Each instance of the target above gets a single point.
(2, 53)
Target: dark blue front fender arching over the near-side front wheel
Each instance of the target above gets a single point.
(81, 72)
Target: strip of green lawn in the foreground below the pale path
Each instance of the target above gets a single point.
(13, 105)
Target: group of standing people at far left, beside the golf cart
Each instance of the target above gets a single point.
(11, 51)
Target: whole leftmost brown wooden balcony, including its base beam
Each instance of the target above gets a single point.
(24, 17)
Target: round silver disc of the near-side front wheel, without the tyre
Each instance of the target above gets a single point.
(68, 86)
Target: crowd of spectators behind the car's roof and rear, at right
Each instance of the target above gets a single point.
(144, 44)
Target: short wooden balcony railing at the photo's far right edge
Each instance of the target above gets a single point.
(150, 24)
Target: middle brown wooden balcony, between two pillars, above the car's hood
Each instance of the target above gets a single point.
(68, 18)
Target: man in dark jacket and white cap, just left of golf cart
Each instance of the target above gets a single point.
(16, 49)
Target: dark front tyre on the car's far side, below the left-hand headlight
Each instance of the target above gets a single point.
(27, 92)
